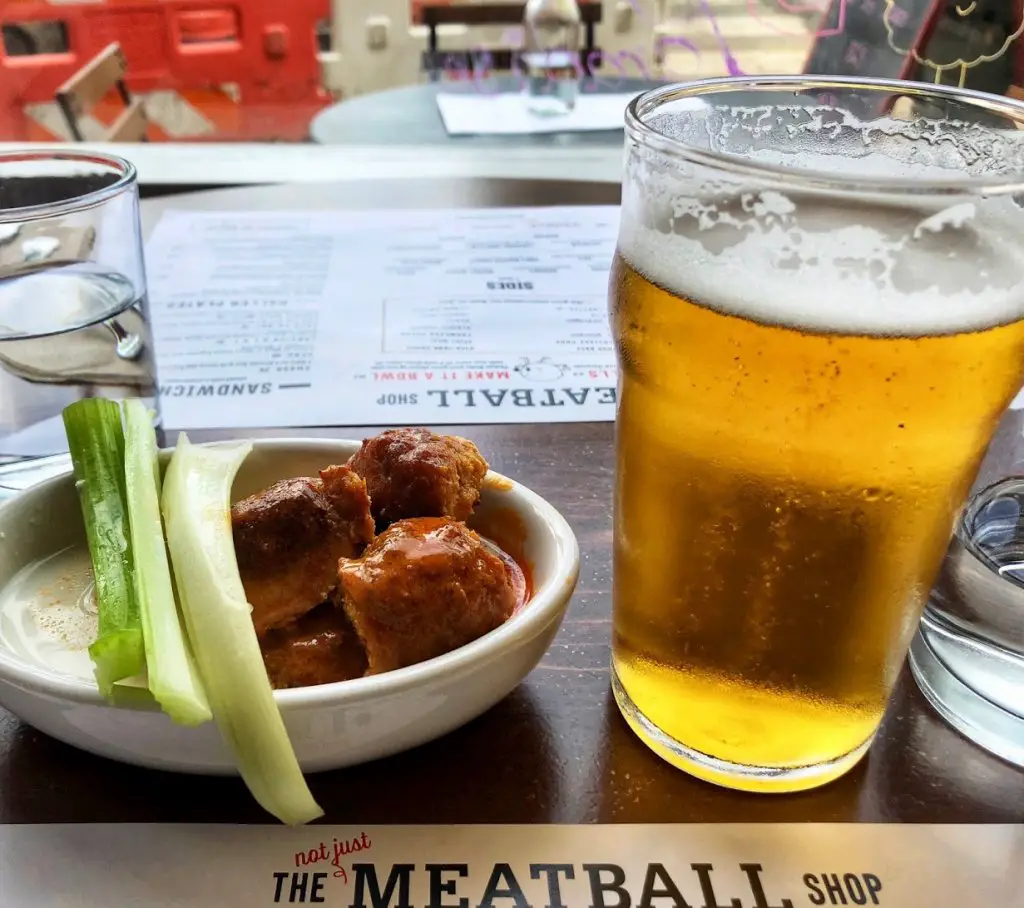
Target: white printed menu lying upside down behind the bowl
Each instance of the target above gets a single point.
(351, 318)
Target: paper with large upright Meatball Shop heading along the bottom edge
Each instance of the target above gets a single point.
(692, 866)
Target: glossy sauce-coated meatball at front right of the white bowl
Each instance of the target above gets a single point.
(423, 588)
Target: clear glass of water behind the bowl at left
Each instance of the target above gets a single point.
(73, 299)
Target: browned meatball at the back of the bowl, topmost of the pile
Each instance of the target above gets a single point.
(415, 473)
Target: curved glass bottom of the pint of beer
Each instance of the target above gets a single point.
(765, 780)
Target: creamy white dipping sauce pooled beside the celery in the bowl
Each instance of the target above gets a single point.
(49, 614)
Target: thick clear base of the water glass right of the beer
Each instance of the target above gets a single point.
(974, 716)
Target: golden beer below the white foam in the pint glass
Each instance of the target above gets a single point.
(785, 499)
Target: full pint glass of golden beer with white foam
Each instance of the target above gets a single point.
(818, 301)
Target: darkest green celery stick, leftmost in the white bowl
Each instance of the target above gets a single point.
(96, 441)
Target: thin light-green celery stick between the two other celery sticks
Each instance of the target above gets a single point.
(173, 677)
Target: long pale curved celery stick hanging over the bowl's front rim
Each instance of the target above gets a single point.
(196, 503)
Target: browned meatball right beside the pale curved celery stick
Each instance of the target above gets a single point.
(288, 540)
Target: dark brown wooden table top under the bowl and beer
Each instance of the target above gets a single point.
(556, 751)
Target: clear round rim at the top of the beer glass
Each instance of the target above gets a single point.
(809, 178)
